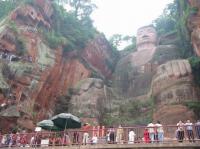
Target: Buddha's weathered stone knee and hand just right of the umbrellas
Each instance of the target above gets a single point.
(85, 101)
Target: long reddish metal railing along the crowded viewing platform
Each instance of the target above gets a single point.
(140, 135)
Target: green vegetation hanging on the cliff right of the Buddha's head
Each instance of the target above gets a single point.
(174, 20)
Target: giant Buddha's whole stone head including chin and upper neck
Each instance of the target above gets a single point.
(146, 36)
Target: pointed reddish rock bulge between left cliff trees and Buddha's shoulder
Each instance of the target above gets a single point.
(98, 53)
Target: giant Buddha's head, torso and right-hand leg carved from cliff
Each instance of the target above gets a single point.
(157, 71)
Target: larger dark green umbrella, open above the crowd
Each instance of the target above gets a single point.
(66, 120)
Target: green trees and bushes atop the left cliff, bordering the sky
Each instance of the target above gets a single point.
(69, 28)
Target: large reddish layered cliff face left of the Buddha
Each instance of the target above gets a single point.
(34, 76)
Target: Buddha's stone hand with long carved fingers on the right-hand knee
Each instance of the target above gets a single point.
(171, 73)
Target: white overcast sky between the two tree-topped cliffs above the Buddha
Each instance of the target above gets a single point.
(126, 16)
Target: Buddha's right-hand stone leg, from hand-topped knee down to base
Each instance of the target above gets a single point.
(172, 86)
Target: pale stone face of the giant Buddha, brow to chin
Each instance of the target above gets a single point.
(146, 35)
